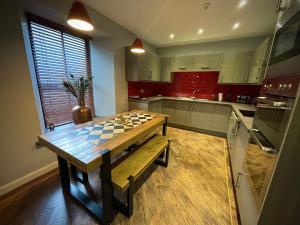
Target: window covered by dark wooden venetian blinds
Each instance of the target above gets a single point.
(57, 54)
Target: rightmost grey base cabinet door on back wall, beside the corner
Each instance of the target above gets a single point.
(220, 118)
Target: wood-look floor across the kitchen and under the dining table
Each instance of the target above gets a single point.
(194, 189)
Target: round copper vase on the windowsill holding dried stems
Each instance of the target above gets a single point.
(81, 113)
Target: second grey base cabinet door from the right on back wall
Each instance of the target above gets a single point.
(202, 116)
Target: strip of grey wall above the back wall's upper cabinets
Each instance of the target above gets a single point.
(242, 44)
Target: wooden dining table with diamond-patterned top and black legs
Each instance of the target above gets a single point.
(92, 145)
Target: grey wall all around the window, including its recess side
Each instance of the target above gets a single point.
(20, 121)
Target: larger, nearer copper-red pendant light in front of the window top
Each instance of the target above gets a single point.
(78, 17)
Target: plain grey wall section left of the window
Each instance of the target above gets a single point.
(19, 117)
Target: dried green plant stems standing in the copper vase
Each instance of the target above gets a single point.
(77, 86)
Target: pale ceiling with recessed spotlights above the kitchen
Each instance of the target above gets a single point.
(183, 18)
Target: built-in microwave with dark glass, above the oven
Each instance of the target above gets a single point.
(285, 54)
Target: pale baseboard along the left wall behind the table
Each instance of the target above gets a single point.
(27, 178)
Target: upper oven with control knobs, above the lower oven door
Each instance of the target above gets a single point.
(274, 106)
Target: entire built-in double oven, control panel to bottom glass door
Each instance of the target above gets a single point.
(275, 104)
